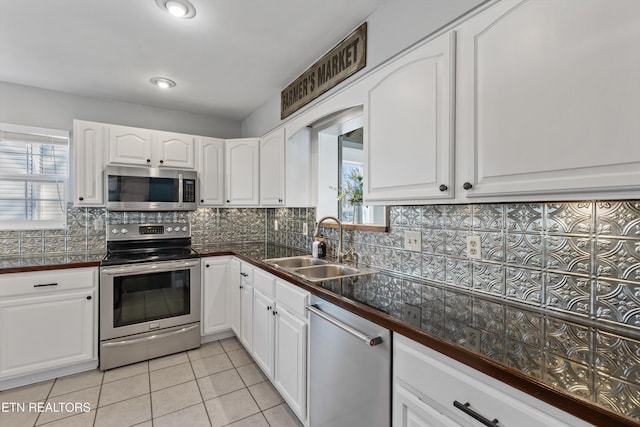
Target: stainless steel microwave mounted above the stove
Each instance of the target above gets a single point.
(143, 189)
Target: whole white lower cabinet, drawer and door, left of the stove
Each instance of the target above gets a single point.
(48, 321)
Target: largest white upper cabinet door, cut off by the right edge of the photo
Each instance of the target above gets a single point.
(548, 97)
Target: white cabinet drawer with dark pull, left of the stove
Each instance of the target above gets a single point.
(38, 282)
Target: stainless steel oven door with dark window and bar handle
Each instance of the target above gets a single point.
(144, 297)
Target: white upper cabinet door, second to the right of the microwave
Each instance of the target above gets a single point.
(242, 171)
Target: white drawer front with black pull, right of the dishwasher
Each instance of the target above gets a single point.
(440, 384)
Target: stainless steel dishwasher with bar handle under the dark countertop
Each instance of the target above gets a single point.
(350, 369)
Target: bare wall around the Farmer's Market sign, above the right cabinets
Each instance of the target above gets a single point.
(395, 26)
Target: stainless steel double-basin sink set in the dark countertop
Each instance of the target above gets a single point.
(316, 270)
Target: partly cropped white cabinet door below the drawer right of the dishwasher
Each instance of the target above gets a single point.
(410, 411)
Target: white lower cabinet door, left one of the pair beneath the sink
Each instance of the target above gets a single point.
(263, 331)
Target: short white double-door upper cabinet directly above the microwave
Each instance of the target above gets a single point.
(145, 147)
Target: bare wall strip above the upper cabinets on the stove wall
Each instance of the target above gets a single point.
(32, 106)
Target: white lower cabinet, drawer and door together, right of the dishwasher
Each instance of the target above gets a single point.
(429, 388)
